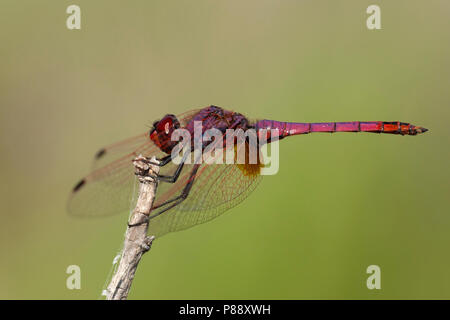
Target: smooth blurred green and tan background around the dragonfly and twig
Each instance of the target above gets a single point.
(339, 203)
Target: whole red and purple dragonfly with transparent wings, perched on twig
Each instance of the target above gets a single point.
(189, 194)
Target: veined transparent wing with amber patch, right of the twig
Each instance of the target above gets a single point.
(216, 188)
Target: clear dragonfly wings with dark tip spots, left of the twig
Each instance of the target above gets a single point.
(111, 187)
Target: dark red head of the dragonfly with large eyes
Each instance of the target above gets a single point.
(162, 130)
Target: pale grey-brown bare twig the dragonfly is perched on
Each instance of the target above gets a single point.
(136, 240)
